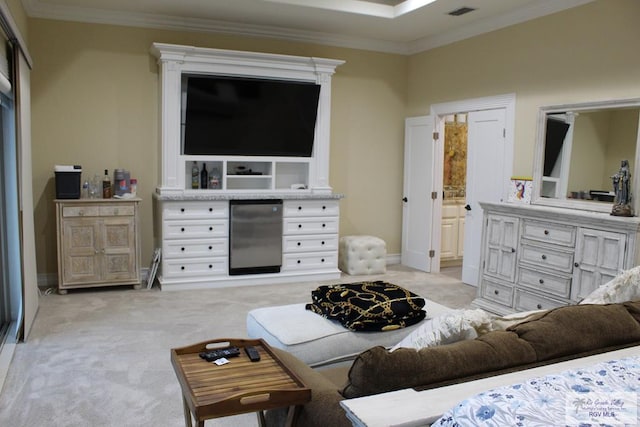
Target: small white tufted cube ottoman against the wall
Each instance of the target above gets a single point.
(362, 255)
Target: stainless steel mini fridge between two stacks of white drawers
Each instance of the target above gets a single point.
(255, 236)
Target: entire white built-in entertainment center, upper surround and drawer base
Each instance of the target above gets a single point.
(192, 225)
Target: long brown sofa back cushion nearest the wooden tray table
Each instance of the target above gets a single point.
(378, 370)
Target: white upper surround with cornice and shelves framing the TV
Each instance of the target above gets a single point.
(272, 173)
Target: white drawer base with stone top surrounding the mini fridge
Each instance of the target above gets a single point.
(193, 232)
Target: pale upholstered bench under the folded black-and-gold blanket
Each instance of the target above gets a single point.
(318, 341)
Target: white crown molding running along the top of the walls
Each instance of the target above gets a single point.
(38, 9)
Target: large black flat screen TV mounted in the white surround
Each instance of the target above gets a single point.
(229, 116)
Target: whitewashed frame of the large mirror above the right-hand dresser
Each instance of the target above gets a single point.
(538, 165)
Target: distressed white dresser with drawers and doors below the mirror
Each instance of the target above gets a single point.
(536, 257)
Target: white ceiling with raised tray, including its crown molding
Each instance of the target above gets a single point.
(396, 26)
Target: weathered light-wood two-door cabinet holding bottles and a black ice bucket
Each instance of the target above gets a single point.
(98, 243)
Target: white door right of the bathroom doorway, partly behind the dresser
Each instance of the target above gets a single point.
(486, 180)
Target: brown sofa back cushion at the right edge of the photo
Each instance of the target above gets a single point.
(576, 329)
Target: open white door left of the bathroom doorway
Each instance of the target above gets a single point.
(418, 185)
